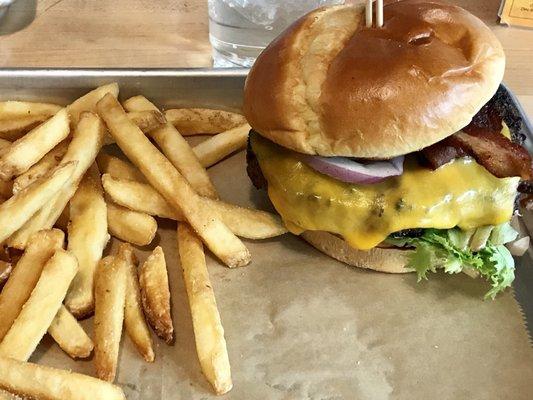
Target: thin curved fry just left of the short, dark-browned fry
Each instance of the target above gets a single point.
(134, 321)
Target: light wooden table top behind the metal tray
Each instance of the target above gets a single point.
(173, 33)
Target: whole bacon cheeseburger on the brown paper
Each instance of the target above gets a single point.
(382, 147)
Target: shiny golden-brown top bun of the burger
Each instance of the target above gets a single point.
(330, 86)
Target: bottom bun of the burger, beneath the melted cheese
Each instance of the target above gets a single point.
(391, 260)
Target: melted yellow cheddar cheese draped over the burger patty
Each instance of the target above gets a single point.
(461, 193)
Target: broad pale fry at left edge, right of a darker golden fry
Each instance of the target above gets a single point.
(40, 308)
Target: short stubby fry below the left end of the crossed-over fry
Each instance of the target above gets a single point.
(130, 226)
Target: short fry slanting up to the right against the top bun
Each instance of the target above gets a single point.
(218, 147)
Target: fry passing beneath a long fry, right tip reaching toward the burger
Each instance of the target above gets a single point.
(244, 222)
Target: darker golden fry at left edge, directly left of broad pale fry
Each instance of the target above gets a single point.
(24, 277)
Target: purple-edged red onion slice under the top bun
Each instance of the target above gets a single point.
(348, 170)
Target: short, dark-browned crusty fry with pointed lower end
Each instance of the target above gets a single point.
(155, 294)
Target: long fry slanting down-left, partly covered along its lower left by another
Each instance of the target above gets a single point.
(85, 145)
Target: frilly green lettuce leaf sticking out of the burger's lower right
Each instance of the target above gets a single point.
(437, 249)
